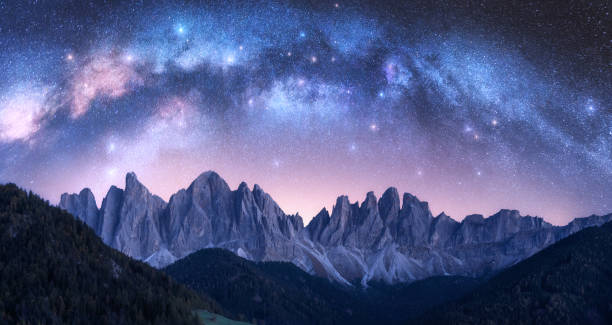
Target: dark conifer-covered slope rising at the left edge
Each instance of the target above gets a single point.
(55, 270)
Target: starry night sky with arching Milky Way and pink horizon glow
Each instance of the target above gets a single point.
(472, 106)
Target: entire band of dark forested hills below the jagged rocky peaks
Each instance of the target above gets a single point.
(55, 270)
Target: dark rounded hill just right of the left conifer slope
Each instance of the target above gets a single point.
(274, 292)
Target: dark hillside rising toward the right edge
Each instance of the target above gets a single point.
(569, 282)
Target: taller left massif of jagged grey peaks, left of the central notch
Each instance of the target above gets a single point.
(206, 214)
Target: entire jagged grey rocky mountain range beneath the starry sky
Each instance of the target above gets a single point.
(379, 239)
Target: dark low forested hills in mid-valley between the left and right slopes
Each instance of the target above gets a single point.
(282, 293)
